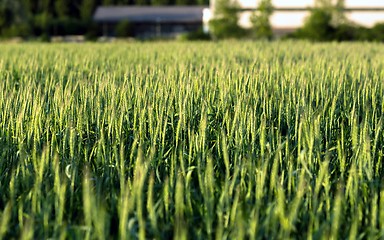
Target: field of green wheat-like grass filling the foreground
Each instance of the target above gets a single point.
(226, 140)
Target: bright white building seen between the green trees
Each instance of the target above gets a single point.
(290, 15)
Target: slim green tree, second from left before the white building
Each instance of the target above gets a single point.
(260, 20)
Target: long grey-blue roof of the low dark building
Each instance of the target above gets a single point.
(184, 14)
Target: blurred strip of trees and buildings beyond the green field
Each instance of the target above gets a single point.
(80, 20)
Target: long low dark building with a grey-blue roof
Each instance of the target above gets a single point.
(150, 22)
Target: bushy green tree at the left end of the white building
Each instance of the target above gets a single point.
(225, 21)
